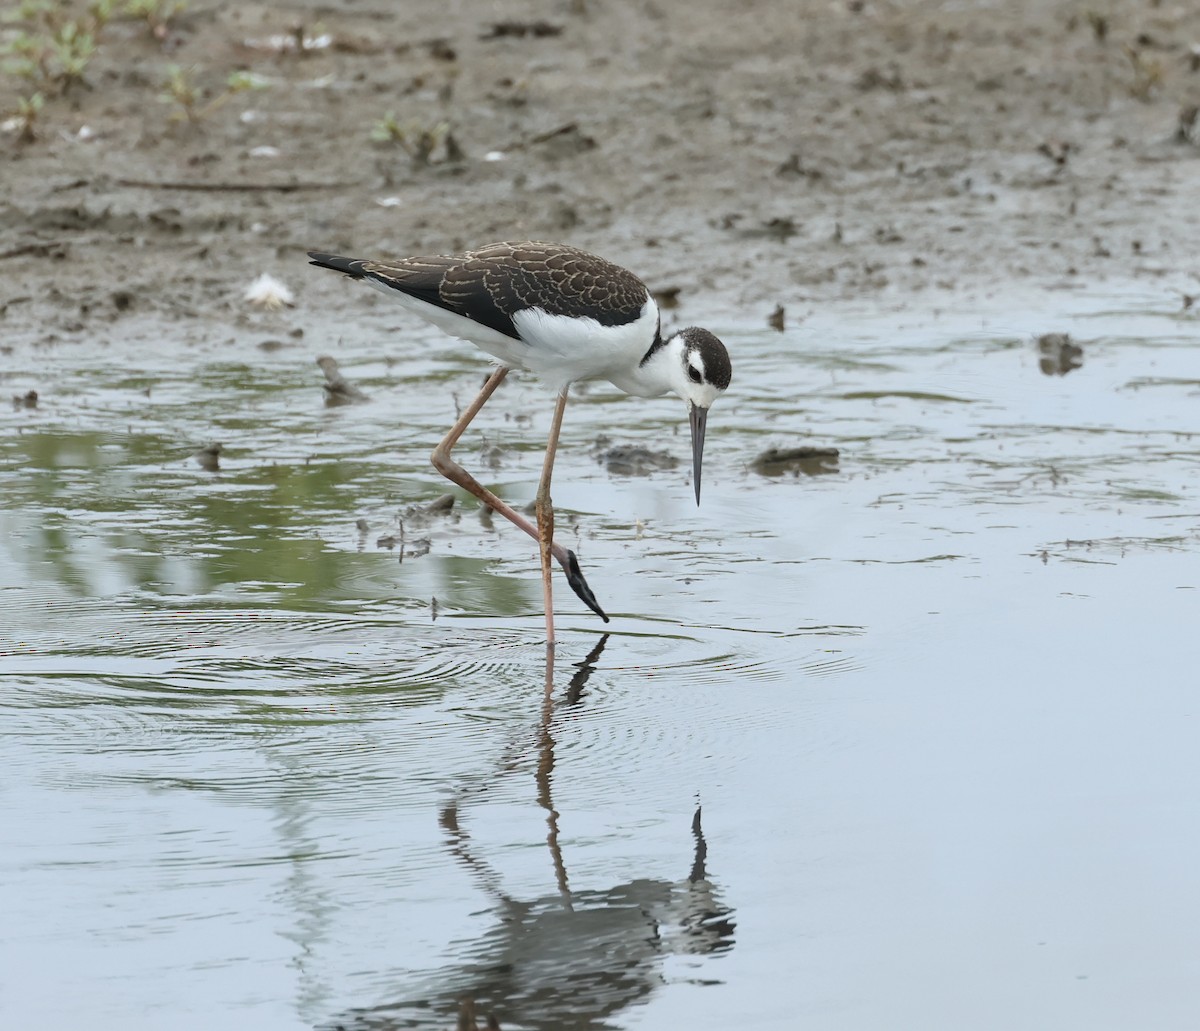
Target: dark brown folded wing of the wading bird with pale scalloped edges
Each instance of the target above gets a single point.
(494, 284)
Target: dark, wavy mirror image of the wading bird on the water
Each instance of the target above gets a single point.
(569, 961)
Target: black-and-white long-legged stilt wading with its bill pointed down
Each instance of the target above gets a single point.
(563, 315)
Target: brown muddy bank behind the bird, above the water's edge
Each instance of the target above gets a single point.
(790, 154)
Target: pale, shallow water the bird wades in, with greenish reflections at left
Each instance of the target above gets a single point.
(935, 706)
